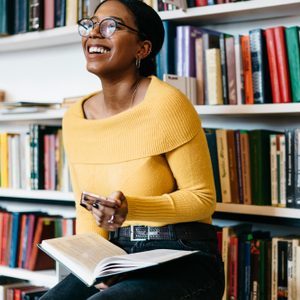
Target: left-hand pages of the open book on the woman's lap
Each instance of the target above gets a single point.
(80, 253)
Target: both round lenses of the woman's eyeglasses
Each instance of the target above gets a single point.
(107, 27)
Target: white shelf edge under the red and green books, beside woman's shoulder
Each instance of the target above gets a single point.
(254, 109)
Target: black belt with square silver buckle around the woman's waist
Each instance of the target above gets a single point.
(184, 231)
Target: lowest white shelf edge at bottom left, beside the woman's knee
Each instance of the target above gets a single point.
(47, 278)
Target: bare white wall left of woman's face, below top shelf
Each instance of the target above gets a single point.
(49, 73)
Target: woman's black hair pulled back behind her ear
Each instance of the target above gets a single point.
(150, 27)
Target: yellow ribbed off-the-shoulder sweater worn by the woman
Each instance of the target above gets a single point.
(155, 153)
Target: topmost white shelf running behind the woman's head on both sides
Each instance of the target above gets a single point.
(213, 14)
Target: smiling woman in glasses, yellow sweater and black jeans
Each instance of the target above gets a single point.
(139, 145)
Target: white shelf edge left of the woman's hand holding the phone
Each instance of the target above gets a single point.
(38, 194)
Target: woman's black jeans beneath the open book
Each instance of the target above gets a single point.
(198, 276)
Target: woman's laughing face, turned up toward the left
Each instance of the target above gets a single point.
(115, 54)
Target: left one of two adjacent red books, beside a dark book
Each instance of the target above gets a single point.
(273, 67)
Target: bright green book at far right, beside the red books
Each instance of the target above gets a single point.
(293, 52)
